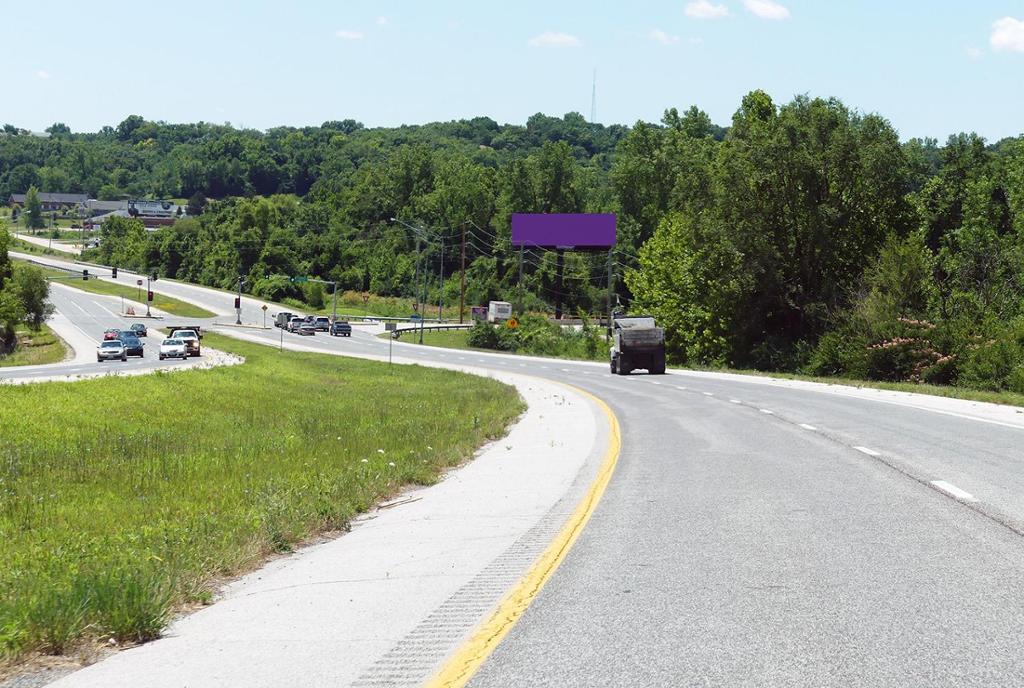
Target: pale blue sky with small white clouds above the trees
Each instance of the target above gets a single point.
(932, 68)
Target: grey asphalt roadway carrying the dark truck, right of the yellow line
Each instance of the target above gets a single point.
(765, 536)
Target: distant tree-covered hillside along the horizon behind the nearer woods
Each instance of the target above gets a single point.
(144, 159)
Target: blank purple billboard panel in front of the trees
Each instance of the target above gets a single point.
(579, 233)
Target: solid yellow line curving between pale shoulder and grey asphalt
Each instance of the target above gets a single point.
(467, 660)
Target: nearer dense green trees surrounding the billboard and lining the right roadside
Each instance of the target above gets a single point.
(805, 237)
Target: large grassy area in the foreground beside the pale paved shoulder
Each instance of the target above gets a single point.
(114, 513)
